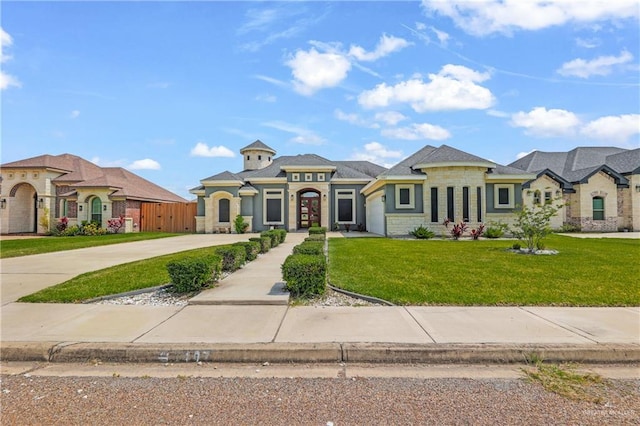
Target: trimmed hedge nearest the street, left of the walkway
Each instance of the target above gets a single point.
(189, 275)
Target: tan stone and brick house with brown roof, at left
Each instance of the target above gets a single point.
(69, 186)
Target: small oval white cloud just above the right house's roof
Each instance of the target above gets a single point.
(547, 123)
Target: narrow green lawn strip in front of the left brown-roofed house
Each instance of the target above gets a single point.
(28, 246)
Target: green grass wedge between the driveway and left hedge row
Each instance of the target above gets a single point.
(114, 280)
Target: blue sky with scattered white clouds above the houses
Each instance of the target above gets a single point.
(172, 90)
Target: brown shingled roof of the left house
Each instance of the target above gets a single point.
(80, 173)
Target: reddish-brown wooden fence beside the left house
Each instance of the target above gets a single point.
(168, 217)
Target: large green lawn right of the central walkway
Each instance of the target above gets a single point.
(586, 272)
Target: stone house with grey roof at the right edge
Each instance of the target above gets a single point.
(600, 185)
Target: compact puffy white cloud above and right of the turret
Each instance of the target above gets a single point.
(313, 70)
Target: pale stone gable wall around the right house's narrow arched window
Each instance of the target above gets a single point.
(598, 185)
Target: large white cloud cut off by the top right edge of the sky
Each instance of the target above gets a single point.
(505, 16)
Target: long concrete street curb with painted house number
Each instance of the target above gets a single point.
(389, 353)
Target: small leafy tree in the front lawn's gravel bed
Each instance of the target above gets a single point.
(532, 224)
